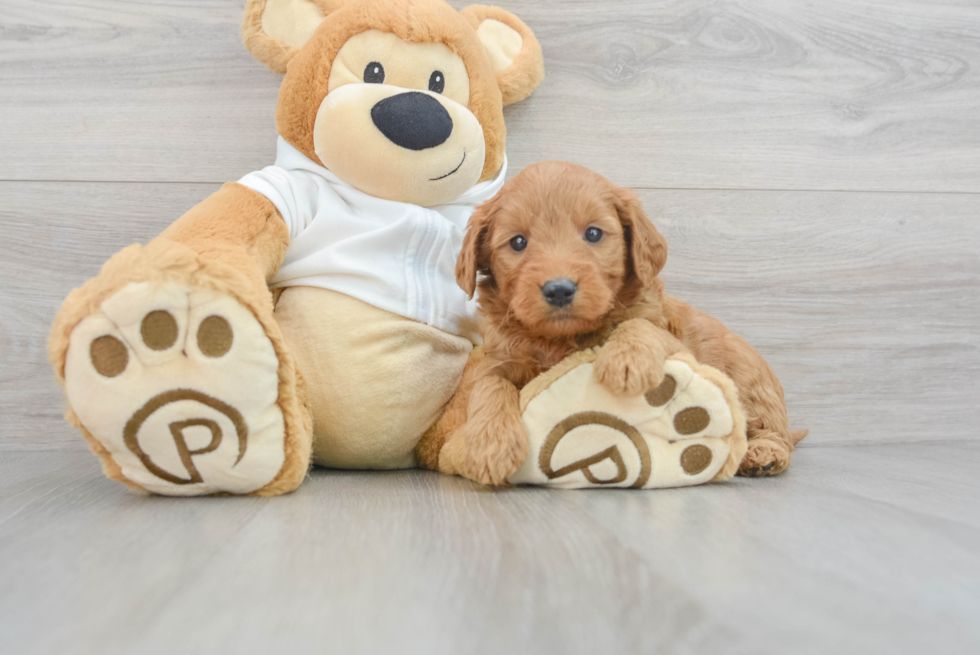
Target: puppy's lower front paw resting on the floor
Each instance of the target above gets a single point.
(495, 449)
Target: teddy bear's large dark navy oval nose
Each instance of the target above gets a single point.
(413, 120)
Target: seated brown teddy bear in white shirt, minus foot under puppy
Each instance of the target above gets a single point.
(309, 309)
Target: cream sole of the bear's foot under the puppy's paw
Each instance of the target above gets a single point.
(687, 431)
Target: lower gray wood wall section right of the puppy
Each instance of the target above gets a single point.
(866, 305)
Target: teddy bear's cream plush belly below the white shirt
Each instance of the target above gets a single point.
(377, 381)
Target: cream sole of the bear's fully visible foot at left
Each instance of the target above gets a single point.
(180, 385)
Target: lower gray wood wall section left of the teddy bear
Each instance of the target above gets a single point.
(55, 237)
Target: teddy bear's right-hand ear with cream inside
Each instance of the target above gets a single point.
(514, 51)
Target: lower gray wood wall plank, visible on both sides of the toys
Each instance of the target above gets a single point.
(865, 304)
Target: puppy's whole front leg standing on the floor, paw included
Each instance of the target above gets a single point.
(494, 440)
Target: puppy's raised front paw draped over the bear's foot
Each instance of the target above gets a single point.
(632, 361)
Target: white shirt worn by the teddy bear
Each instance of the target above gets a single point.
(393, 255)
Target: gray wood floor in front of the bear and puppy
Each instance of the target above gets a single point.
(844, 554)
